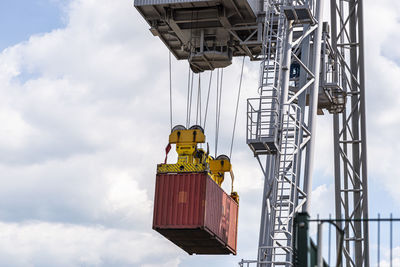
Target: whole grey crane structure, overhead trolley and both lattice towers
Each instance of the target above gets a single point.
(308, 67)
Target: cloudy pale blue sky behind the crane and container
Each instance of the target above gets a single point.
(85, 119)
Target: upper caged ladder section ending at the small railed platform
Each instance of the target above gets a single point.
(263, 112)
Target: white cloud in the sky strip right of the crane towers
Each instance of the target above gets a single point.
(382, 66)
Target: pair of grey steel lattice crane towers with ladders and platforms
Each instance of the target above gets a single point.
(281, 122)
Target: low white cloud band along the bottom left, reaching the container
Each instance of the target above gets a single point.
(46, 244)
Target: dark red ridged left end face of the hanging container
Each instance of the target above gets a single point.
(179, 201)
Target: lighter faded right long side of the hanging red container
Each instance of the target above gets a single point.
(221, 215)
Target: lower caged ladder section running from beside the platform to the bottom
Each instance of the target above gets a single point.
(283, 199)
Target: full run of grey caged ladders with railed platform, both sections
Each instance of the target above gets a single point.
(274, 130)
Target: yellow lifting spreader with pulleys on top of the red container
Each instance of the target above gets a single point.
(193, 159)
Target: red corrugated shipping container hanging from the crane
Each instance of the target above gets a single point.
(193, 212)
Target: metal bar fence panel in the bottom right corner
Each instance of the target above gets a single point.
(332, 241)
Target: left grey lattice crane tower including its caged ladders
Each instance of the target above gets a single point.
(281, 122)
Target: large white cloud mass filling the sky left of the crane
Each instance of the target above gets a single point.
(78, 146)
